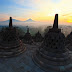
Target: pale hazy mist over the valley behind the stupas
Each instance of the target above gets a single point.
(38, 26)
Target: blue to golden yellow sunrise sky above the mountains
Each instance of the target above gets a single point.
(38, 10)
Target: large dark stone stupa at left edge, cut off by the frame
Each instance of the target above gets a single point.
(10, 44)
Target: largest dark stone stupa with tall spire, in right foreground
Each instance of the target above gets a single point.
(52, 56)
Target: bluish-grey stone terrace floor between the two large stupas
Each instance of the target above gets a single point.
(21, 63)
